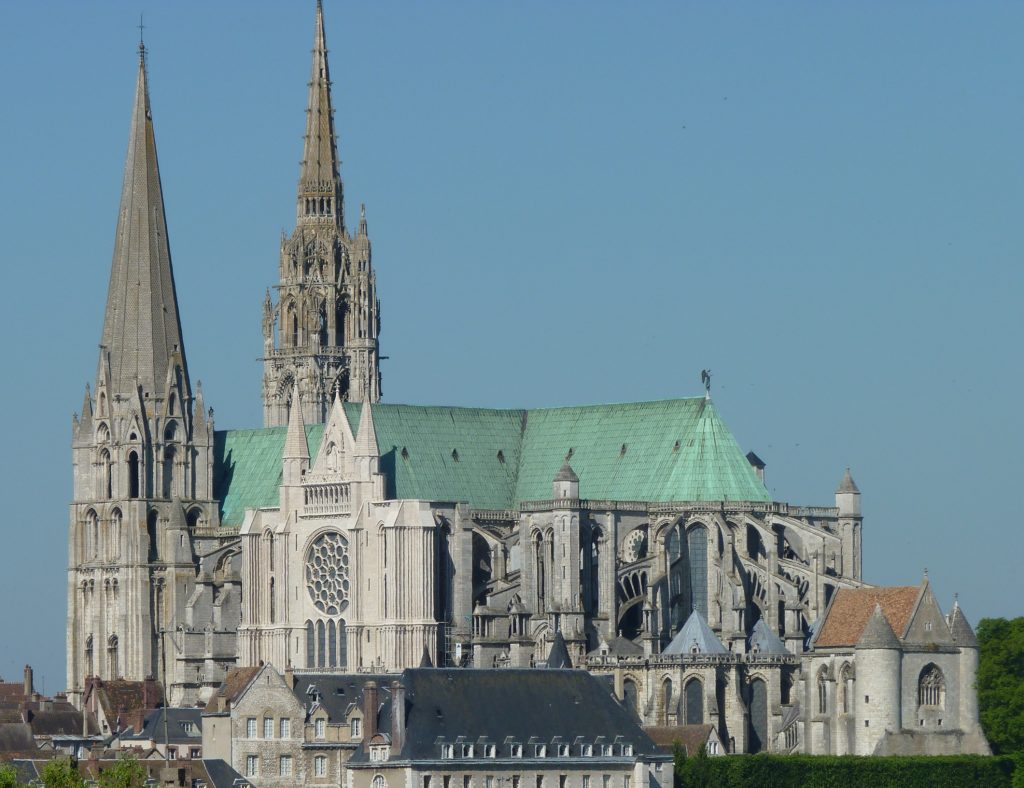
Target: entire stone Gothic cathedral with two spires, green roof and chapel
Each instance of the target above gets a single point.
(348, 535)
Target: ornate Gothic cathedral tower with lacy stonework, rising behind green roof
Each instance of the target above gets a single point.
(322, 333)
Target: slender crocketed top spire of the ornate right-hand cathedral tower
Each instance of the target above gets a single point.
(320, 183)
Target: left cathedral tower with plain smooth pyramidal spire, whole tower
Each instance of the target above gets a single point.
(143, 451)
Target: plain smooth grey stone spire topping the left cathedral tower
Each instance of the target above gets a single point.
(142, 331)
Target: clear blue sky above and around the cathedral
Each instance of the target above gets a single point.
(570, 203)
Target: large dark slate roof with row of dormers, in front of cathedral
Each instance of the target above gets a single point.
(445, 704)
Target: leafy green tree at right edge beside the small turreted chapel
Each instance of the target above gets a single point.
(1001, 683)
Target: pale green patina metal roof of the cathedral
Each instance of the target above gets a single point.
(675, 450)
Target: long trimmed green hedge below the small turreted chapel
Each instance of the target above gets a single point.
(846, 771)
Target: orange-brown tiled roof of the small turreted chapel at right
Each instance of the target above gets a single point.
(851, 608)
